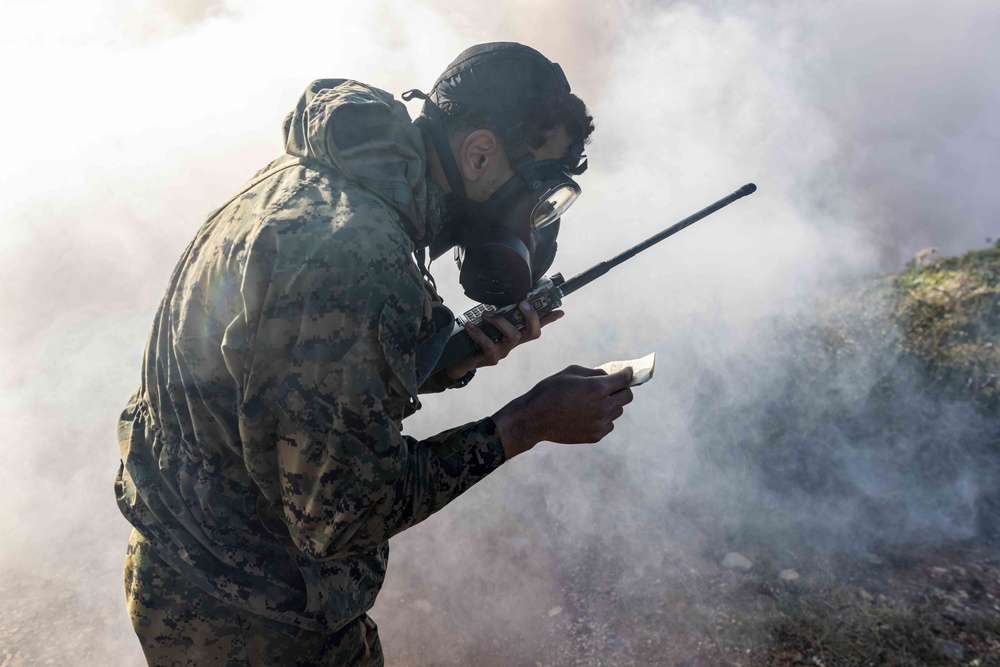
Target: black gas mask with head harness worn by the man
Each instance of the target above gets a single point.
(507, 243)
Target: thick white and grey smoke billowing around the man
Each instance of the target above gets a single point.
(869, 134)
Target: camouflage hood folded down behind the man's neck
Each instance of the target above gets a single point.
(366, 135)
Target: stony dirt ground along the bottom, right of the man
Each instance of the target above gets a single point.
(919, 605)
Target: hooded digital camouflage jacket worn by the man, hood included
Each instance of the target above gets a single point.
(262, 455)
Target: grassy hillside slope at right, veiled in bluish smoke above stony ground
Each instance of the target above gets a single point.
(872, 418)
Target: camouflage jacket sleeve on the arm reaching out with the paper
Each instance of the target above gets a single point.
(334, 312)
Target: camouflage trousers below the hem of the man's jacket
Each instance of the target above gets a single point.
(179, 625)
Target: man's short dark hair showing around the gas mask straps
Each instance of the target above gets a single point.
(539, 116)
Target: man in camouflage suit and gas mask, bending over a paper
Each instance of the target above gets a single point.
(263, 464)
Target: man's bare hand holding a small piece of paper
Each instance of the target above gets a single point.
(576, 405)
